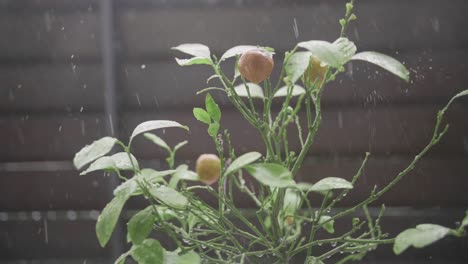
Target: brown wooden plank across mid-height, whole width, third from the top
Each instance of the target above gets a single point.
(345, 130)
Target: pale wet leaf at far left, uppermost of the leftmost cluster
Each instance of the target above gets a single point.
(91, 152)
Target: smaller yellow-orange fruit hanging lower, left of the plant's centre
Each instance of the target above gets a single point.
(208, 168)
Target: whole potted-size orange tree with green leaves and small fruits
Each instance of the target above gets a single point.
(276, 231)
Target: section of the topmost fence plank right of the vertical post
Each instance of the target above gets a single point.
(395, 25)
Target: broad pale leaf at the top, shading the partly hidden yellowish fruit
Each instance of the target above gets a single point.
(324, 51)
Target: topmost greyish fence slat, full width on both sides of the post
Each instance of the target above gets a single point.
(399, 25)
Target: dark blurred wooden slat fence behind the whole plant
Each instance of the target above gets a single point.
(74, 71)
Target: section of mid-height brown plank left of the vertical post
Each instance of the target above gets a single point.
(53, 137)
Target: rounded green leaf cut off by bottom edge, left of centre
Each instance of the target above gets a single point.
(148, 252)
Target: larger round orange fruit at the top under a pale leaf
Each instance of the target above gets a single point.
(256, 65)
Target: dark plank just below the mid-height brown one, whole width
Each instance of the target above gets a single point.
(439, 182)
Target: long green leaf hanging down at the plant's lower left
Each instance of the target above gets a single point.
(110, 214)
